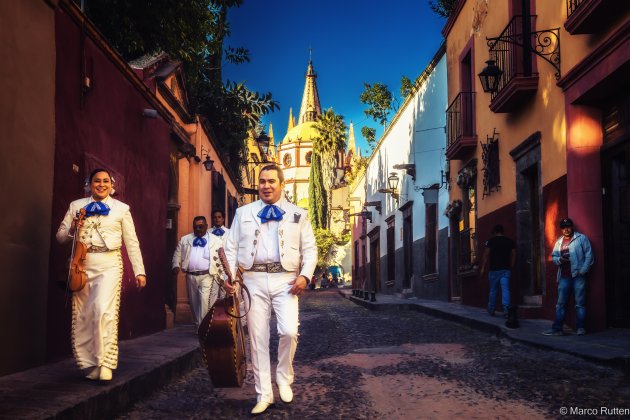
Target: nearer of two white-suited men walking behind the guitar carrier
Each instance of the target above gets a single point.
(194, 255)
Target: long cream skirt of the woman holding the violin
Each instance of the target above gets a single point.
(95, 310)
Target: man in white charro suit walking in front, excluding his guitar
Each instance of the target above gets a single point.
(273, 242)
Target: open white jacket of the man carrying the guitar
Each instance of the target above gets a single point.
(298, 250)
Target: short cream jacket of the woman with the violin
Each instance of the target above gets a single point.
(114, 228)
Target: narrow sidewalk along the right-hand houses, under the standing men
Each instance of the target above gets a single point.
(610, 347)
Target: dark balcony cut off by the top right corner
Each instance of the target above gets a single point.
(593, 16)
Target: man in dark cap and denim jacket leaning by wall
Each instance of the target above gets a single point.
(573, 255)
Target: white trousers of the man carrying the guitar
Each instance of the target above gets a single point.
(271, 290)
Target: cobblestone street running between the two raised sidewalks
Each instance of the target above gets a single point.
(358, 364)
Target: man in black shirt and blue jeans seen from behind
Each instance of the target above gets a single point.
(500, 254)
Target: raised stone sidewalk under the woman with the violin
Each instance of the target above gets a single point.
(59, 390)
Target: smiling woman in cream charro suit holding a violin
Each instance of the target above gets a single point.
(97, 261)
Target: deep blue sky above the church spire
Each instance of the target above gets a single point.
(352, 42)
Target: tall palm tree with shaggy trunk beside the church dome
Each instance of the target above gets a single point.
(331, 140)
